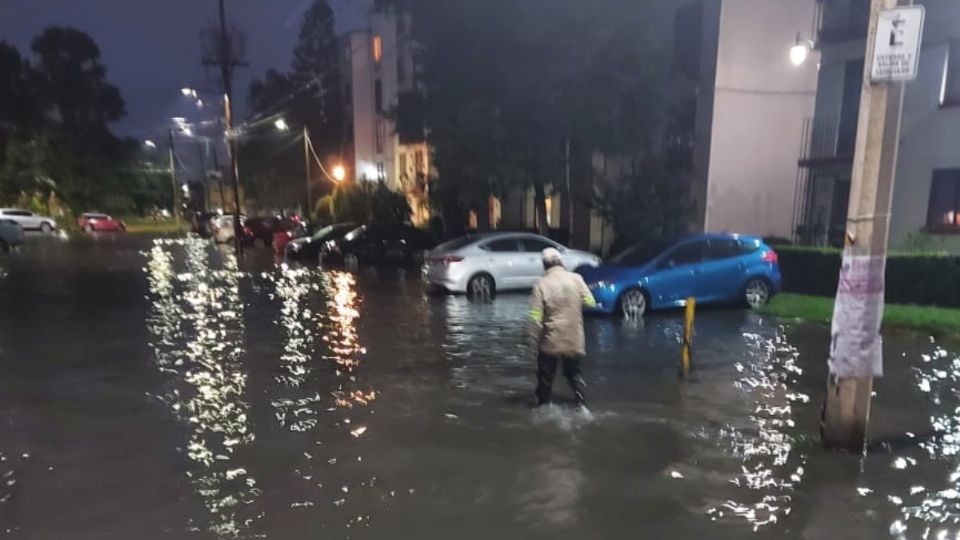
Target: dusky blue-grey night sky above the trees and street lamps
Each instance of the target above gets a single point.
(151, 48)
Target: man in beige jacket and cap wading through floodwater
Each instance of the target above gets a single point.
(557, 315)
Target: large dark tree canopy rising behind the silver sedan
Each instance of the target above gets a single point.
(510, 84)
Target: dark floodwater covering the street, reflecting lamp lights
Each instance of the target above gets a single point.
(153, 389)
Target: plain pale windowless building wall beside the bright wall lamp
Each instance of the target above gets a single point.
(760, 103)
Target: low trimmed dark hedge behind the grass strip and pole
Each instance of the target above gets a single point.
(928, 280)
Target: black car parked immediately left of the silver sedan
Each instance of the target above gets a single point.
(379, 244)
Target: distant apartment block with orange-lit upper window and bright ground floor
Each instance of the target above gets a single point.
(388, 142)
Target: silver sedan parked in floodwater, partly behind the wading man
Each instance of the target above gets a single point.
(486, 263)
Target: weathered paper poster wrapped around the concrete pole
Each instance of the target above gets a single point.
(856, 348)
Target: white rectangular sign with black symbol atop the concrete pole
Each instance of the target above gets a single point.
(896, 54)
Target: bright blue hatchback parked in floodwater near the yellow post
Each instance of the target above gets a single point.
(713, 268)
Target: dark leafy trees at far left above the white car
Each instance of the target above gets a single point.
(56, 109)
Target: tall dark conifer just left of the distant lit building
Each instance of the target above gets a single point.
(308, 95)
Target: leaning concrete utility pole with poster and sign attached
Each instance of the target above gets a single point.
(859, 306)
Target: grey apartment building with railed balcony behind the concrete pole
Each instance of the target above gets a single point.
(926, 200)
